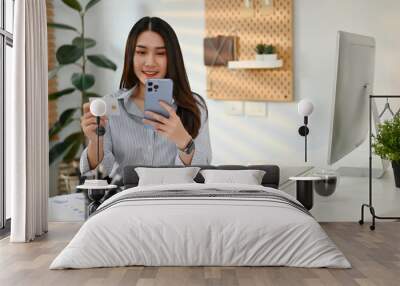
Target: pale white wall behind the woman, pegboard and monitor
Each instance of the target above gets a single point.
(274, 138)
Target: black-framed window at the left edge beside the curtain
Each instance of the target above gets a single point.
(6, 44)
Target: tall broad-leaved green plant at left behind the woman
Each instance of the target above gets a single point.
(75, 54)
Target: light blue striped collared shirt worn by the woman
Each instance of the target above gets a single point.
(128, 142)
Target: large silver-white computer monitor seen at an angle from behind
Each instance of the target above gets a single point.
(354, 80)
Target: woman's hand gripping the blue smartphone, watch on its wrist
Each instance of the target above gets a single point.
(171, 128)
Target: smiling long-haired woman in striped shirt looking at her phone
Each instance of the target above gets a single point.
(152, 51)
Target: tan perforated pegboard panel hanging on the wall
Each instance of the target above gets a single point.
(222, 18)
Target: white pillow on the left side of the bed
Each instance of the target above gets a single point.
(162, 176)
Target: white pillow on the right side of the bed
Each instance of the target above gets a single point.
(248, 177)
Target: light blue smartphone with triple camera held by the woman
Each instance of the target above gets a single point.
(155, 90)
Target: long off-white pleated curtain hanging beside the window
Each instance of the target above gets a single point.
(27, 142)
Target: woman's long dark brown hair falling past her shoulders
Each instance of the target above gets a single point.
(187, 110)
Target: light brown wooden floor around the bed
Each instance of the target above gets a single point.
(375, 257)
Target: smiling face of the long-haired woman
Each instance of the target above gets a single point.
(150, 59)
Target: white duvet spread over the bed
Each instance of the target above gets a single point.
(200, 231)
